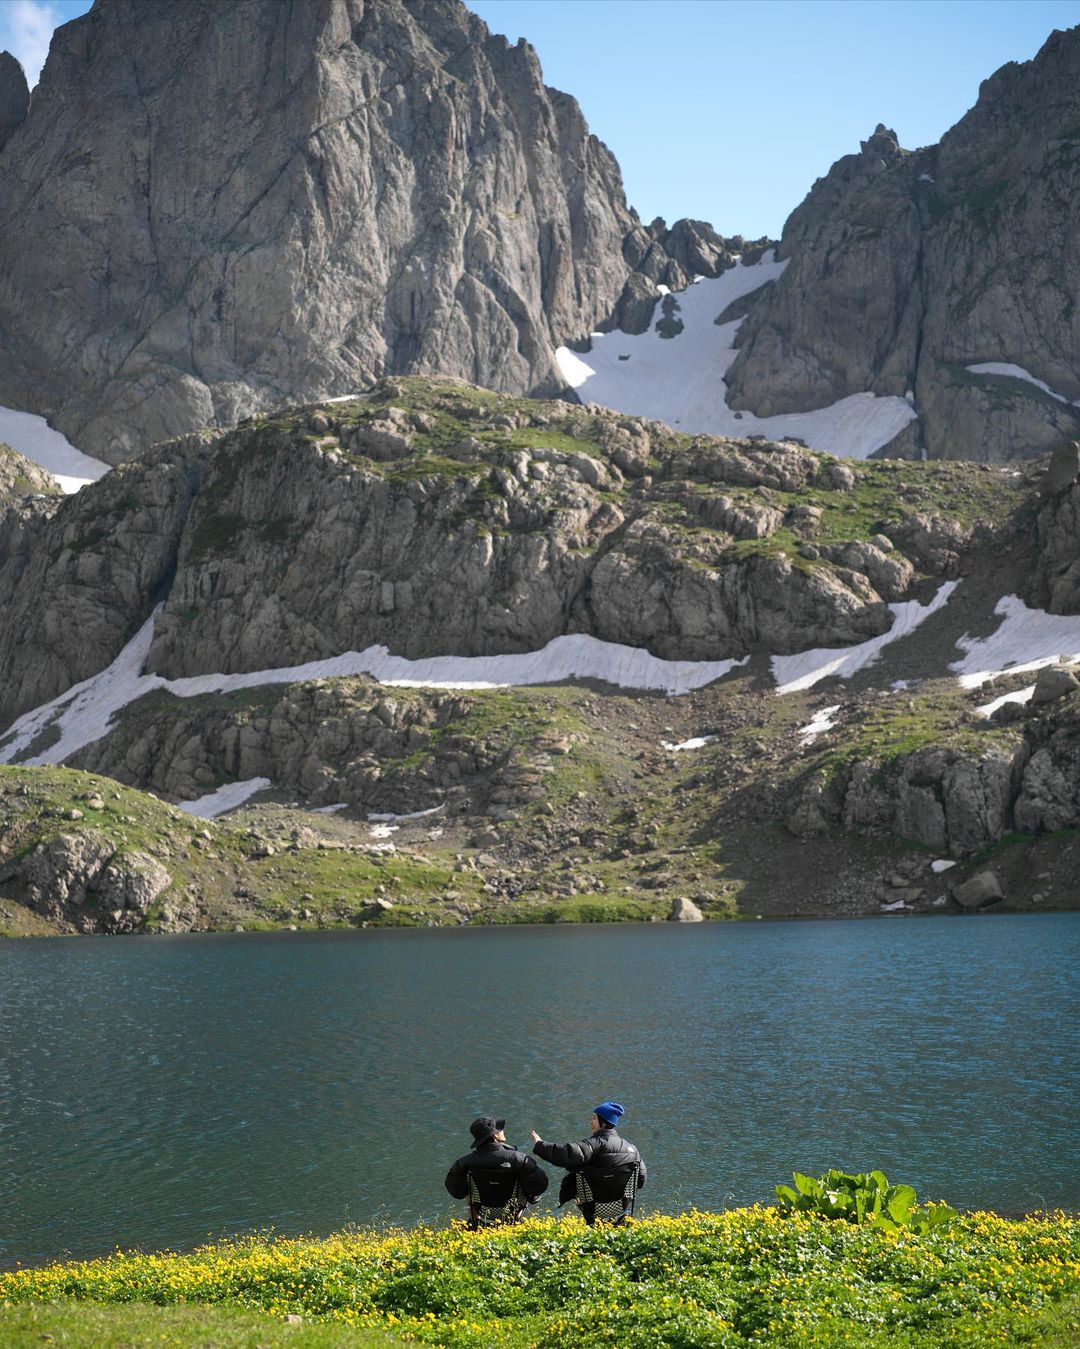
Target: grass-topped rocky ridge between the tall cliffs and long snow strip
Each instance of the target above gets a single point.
(444, 520)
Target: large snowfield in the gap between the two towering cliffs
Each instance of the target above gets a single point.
(680, 380)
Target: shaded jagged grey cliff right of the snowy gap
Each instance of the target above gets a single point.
(907, 269)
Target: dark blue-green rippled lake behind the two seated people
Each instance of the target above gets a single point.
(156, 1092)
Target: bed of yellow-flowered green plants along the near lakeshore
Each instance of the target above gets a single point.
(746, 1277)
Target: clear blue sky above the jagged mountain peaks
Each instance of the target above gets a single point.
(729, 110)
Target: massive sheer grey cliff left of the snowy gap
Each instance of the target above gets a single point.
(219, 207)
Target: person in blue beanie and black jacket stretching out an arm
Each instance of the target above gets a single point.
(605, 1162)
